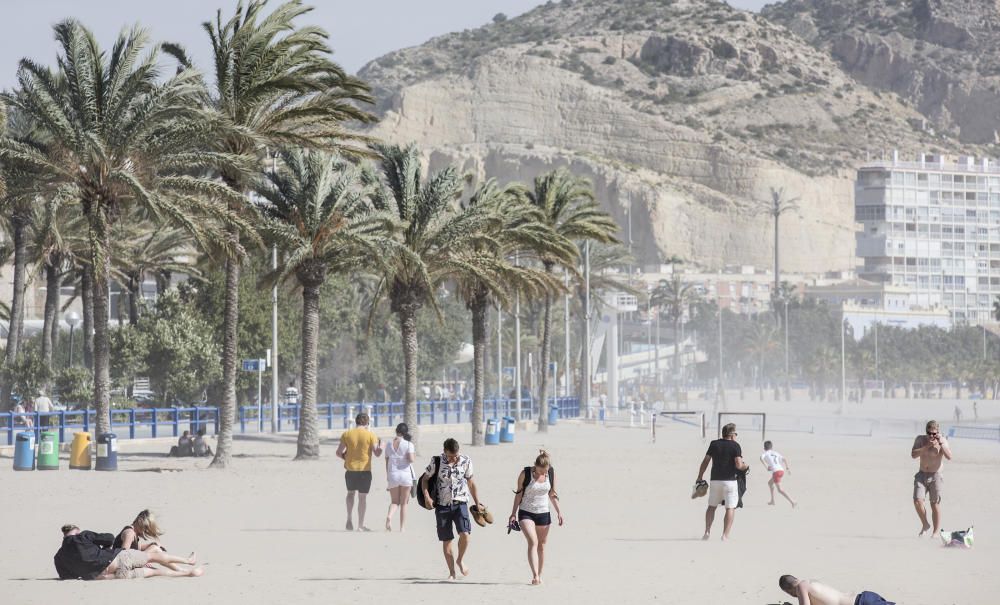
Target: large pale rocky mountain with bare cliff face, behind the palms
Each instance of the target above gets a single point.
(685, 111)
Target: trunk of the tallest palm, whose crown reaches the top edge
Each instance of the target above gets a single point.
(227, 410)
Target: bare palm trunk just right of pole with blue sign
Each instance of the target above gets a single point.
(308, 444)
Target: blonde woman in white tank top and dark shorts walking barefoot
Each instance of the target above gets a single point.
(535, 492)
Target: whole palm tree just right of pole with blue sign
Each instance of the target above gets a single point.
(320, 214)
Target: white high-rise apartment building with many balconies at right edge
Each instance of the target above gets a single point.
(933, 226)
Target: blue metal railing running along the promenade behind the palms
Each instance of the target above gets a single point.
(131, 423)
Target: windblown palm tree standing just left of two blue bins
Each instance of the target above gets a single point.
(493, 278)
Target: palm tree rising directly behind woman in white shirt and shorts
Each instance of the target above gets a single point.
(437, 243)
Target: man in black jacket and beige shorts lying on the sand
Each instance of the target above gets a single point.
(92, 556)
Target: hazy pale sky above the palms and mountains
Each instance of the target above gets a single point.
(360, 31)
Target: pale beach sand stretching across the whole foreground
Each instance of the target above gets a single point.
(271, 530)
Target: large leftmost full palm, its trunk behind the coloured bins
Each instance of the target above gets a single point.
(120, 138)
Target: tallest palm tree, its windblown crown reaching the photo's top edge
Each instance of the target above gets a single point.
(277, 87)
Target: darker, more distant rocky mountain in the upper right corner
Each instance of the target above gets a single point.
(942, 56)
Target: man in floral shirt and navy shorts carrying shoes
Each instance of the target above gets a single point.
(453, 487)
